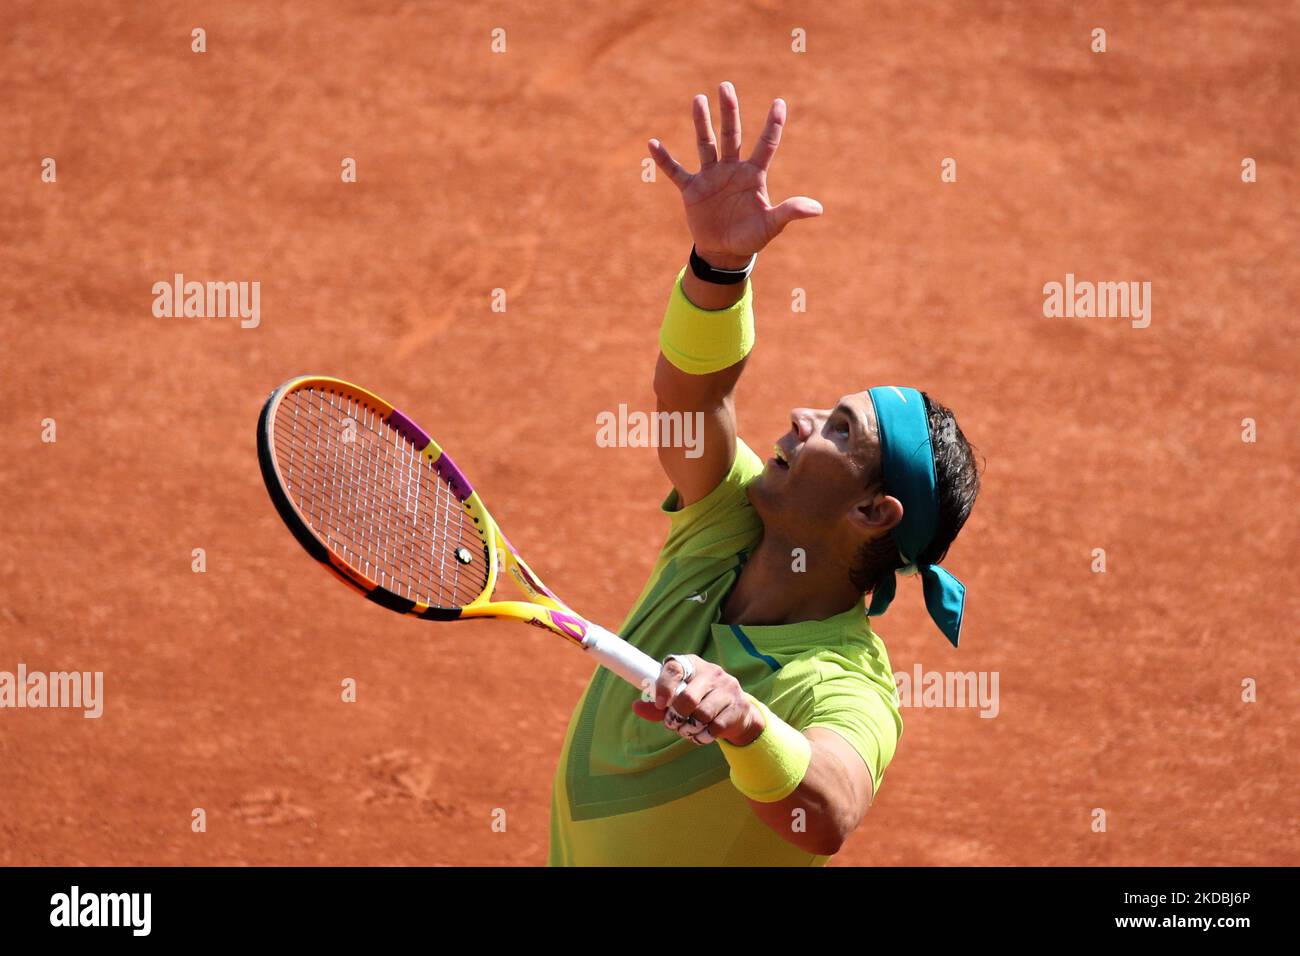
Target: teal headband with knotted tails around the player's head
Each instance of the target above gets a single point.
(908, 462)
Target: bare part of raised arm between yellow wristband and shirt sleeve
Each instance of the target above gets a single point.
(699, 466)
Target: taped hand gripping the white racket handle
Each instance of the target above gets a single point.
(712, 706)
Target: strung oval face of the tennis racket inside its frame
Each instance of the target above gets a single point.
(376, 501)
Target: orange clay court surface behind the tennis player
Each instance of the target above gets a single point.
(1119, 691)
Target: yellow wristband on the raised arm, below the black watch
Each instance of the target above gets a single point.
(700, 341)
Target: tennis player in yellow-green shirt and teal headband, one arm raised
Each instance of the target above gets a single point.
(768, 737)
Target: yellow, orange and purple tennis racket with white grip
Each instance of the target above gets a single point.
(376, 501)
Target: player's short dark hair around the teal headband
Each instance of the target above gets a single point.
(956, 485)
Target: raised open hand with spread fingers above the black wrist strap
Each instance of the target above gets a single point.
(727, 206)
